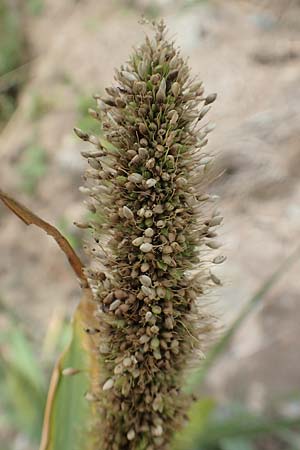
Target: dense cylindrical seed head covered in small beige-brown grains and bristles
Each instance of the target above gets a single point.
(153, 230)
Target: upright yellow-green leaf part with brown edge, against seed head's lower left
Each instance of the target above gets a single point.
(68, 414)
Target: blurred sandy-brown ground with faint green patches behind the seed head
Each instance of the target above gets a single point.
(53, 56)
